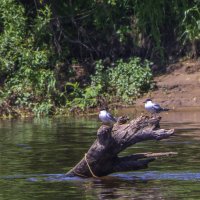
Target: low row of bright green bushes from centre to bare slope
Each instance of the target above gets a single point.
(126, 81)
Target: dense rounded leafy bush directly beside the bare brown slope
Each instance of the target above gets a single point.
(130, 79)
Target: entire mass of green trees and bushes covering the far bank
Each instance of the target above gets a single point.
(111, 42)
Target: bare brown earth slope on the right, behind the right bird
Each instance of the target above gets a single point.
(179, 87)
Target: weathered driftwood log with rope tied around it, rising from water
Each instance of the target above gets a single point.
(102, 157)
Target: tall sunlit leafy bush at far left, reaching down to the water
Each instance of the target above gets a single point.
(25, 58)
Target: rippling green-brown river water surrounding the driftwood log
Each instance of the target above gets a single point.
(36, 153)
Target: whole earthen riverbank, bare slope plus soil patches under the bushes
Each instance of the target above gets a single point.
(178, 88)
